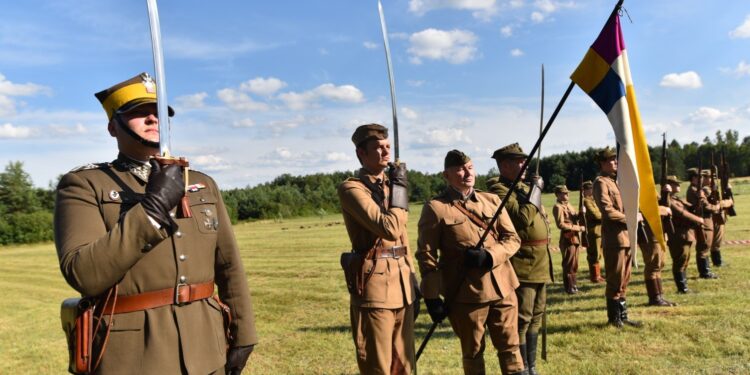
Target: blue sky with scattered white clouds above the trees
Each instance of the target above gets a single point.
(263, 88)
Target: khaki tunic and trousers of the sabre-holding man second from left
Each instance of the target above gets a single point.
(382, 317)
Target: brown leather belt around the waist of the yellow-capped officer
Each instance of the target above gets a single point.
(181, 294)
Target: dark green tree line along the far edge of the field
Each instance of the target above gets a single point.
(26, 211)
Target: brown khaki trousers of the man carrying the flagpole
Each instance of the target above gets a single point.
(501, 317)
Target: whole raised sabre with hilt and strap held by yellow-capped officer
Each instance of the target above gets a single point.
(165, 141)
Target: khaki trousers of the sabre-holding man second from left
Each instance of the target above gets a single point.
(384, 339)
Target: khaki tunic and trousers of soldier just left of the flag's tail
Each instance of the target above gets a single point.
(615, 243)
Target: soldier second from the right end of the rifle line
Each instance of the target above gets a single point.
(697, 196)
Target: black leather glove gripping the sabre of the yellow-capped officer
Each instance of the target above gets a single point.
(165, 188)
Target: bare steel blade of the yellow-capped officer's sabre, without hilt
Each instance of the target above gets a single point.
(165, 141)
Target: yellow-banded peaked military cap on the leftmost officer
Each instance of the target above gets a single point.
(129, 94)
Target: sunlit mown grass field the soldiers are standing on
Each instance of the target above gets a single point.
(301, 307)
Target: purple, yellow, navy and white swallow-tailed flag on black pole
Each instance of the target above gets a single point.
(604, 74)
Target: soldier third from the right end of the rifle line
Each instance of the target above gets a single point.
(682, 239)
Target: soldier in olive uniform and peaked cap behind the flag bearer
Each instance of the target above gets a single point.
(533, 261)
